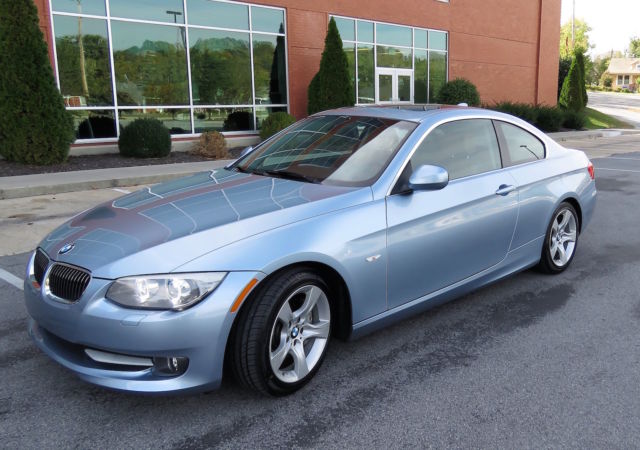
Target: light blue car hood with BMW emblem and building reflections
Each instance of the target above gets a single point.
(157, 229)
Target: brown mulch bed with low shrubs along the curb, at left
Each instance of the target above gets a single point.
(9, 169)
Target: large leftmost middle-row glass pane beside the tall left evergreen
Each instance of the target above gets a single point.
(83, 61)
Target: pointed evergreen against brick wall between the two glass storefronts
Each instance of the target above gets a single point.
(331, 87)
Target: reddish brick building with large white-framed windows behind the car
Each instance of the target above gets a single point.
(202, 65)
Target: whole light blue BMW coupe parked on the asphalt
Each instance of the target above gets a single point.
(342, 223)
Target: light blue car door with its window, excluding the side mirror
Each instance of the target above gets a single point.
(437, 238)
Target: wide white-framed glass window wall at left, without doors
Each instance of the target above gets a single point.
(195, 65)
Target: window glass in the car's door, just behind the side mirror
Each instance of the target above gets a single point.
(464, 147)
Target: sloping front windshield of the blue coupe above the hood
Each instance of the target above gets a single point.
(337, 150)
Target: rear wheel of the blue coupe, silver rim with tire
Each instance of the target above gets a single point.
(561, 240)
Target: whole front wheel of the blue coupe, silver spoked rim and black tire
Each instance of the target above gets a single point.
(281, 339)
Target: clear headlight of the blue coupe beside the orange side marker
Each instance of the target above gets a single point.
(171, 291)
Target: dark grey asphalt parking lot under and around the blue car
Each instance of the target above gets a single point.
(532, 361)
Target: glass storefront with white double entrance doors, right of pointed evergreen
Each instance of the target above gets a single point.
(394, 63)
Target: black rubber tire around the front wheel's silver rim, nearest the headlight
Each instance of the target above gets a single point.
(251, 341)
